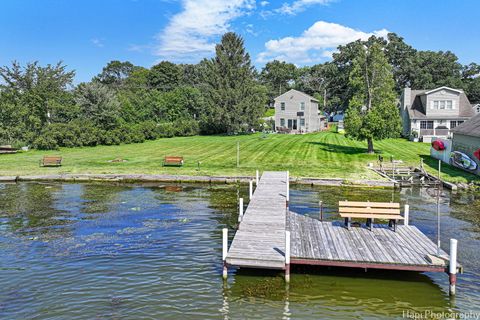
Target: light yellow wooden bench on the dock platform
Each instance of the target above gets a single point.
(370, 210)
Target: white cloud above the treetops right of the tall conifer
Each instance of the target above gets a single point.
(316, 44)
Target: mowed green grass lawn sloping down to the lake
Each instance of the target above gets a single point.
(321, 155)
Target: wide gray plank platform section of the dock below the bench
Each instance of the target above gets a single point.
(331, 244)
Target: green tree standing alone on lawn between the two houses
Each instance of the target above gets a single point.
(372, 112)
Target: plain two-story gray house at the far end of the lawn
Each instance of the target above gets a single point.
(297, 112)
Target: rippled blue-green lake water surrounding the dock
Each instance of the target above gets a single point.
(105, 251)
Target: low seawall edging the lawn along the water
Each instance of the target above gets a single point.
(132, 178)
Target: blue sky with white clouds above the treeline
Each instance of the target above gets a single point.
(87, 34)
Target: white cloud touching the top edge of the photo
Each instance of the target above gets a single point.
(191, 34)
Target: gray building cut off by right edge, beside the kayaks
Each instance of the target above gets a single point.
(466, 139)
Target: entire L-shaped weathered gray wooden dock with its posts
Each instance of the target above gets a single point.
(271, 237)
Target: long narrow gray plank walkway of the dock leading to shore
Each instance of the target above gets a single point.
(260, 239)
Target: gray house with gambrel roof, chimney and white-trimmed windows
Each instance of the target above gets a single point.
(433, 113)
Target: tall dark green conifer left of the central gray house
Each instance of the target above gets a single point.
(235, 101)
